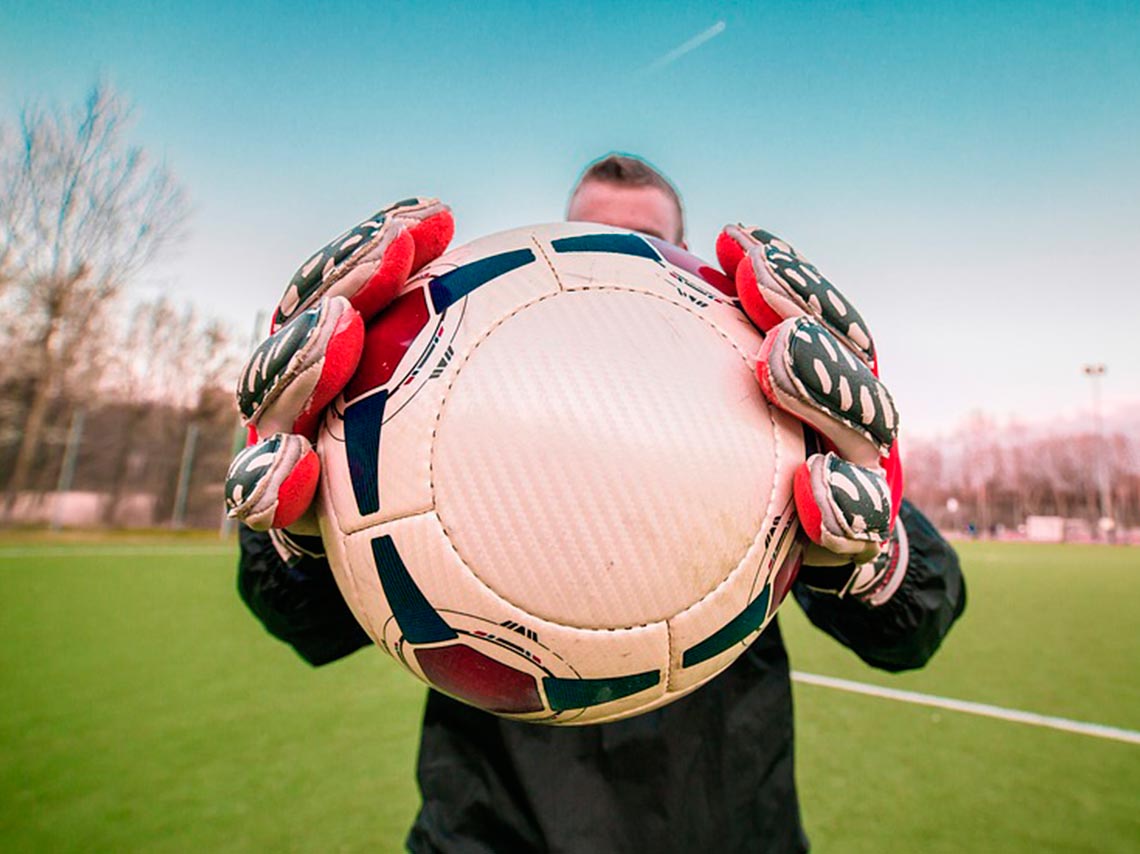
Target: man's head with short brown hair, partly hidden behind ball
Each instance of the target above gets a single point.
(626, 192)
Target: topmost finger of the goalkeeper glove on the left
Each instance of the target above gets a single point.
(371, 263)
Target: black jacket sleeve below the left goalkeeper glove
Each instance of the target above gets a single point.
(297, 600)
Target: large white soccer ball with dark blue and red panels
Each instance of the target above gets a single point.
(555, 490)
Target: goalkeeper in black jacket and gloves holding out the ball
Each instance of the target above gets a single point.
(714, 768)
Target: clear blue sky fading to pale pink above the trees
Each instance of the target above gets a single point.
(968, 173)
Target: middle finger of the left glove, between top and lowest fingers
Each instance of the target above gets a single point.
(298, 371)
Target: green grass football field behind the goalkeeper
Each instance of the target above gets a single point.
(144, 710)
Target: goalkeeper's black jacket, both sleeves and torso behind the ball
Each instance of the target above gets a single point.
(713, 769)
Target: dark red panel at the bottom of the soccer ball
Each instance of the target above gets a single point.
(470, 676)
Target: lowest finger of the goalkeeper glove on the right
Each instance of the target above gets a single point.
(844, 508)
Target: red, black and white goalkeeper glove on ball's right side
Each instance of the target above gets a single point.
(819, 364)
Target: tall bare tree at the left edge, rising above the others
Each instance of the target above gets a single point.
(84, 213)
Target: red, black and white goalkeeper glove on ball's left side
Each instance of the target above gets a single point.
(316, 343)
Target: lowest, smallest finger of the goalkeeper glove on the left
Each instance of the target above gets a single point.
(272, 484)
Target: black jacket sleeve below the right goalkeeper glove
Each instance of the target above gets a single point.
(903, 633)
